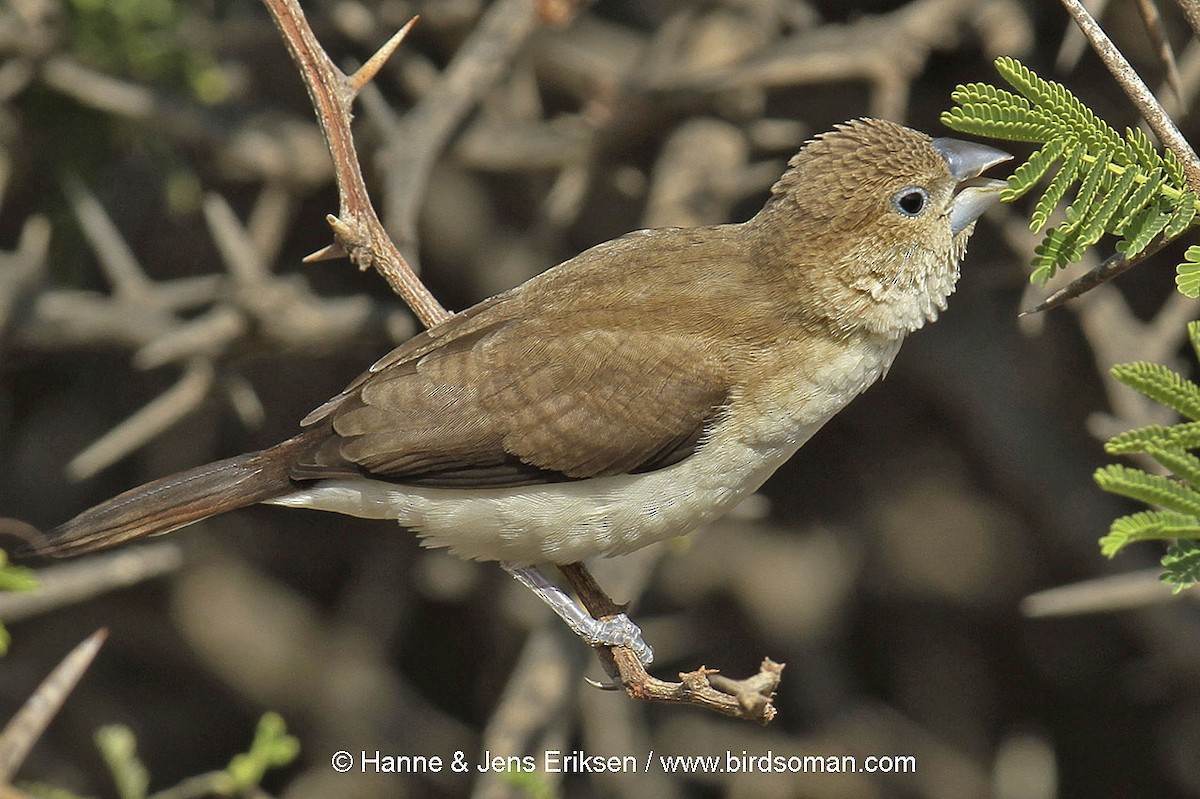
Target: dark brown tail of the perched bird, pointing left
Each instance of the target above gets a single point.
(175, 502)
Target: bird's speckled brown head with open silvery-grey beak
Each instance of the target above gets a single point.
(872, 220)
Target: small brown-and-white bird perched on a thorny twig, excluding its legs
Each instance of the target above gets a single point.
(633, 392)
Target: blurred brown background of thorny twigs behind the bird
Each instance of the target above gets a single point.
(886, 564)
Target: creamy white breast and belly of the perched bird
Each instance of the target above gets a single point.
(567, 522)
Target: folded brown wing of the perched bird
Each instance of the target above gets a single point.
(509, 402)
